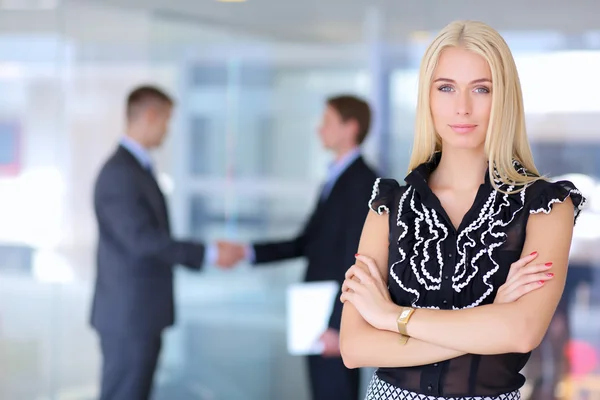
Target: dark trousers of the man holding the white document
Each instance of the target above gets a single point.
(331, 380)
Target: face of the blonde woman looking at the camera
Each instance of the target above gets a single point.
(461, 98)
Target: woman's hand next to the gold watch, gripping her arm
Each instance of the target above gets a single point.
(368, 293)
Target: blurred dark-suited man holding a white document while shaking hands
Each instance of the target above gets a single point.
(329, 239)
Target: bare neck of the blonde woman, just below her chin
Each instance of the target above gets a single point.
(460, 170)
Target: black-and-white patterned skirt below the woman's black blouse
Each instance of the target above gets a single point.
(381, 390)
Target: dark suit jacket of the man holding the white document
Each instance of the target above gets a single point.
(330, 238)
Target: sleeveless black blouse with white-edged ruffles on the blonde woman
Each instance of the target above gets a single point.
(434, 265)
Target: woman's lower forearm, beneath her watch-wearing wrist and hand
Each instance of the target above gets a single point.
(365, 346)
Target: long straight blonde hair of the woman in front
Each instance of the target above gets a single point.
(506, 138)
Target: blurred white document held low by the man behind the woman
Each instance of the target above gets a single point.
(309, 306)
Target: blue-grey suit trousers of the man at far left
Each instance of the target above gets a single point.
(128, 366)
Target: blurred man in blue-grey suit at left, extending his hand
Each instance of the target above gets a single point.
(133, 299)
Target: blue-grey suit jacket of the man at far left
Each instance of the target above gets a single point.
(136, 253)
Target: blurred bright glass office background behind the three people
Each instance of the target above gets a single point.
(243, 161)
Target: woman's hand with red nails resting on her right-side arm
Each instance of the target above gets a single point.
(523, 278)
